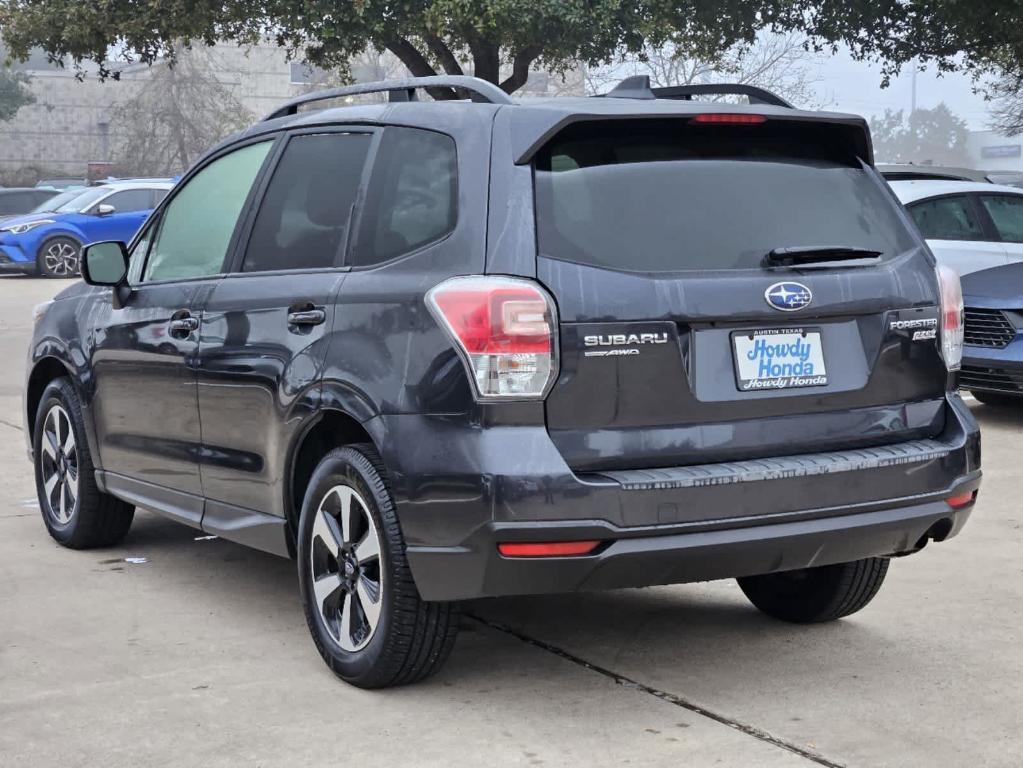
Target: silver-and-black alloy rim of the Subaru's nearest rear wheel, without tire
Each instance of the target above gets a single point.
(346, 568)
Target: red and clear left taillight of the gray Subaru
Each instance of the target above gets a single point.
(506, 331)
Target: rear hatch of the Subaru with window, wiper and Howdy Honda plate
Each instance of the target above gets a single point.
(683, 343)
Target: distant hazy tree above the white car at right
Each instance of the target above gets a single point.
(925, 138)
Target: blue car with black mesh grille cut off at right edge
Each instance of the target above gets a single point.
(993, 357)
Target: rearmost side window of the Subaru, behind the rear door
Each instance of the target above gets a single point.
(412, 200)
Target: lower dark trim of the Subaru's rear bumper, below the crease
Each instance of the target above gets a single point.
(631, 561)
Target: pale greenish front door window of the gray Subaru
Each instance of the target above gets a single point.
(196, 229)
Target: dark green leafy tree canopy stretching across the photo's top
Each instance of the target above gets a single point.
(500, 40)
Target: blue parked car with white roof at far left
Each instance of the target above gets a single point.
(50, 243)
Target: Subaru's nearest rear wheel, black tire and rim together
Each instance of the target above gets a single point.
(361, 602)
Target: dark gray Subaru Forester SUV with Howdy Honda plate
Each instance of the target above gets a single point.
(452, 349)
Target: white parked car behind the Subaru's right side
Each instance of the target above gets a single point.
(969, 227)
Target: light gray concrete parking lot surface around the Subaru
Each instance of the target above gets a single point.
(179, 650)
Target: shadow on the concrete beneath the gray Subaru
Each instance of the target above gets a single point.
(633, 633)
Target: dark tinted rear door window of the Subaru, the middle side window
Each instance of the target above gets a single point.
(303, 221)
